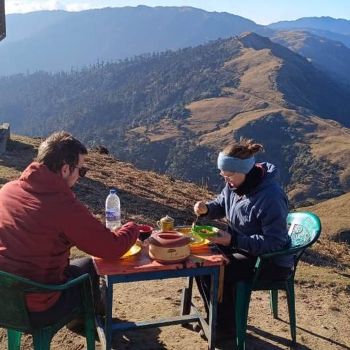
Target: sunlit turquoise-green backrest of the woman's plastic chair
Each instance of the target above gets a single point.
(304, 230)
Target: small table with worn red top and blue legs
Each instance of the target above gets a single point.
(141, 268)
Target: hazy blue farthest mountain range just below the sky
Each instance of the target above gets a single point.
(59, 40)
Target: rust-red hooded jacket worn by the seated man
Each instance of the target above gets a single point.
(40, 220)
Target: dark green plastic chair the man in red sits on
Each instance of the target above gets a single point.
(14, 313)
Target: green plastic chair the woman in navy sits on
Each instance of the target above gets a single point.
(304, 230)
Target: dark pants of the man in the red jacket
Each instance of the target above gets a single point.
(69, 298)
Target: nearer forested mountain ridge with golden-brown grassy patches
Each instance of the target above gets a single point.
(162, 111)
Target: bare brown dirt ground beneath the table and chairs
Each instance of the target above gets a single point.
(322, 321)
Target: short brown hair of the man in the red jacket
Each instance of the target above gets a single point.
(58, 149)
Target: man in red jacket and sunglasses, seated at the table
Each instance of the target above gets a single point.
(40, 220)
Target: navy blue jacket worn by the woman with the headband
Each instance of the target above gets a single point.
(257, 220)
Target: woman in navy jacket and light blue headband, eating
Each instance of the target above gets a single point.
(255, 208)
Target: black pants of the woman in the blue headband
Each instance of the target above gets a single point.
(241, 267)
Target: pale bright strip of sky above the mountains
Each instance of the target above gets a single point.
(260, 11)
